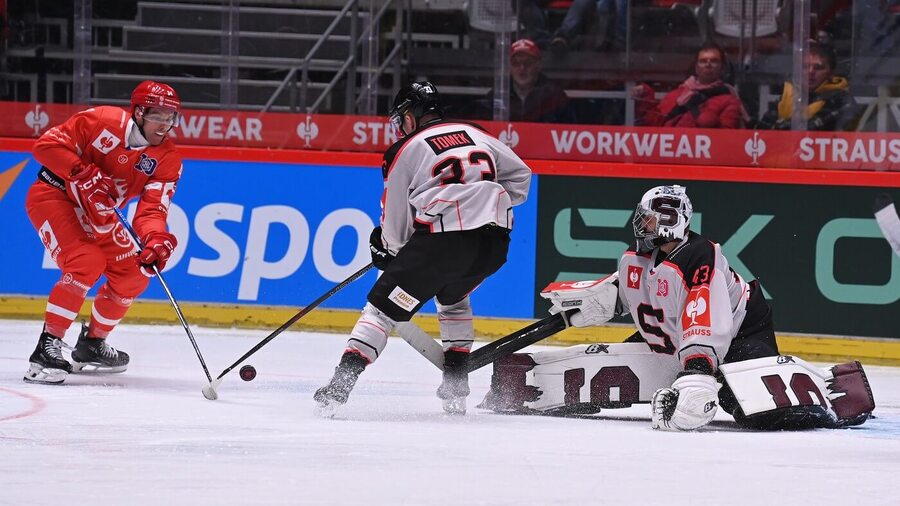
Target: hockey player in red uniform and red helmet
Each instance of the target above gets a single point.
(95, 161)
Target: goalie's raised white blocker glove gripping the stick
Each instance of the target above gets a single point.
(597, 301)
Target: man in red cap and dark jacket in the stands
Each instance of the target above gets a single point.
(534, 97)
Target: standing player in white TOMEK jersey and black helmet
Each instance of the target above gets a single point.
(449, 190)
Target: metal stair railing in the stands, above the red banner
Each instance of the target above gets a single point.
(298, 76)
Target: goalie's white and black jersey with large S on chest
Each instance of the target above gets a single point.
(689, 304)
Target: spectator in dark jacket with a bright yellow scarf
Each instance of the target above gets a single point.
(831, 107)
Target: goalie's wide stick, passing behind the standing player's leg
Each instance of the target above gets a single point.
(487, 354)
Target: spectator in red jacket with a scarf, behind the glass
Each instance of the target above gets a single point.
(701, 101)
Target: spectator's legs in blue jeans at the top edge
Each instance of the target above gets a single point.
(576, 21)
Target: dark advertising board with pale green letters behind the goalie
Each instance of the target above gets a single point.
(817, 250)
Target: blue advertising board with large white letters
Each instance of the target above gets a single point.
(262, 233)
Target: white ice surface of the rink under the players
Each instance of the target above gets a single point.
(148, 437)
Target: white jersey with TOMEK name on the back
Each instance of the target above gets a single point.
(446, 177)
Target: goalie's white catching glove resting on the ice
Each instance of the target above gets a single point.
(690, 403)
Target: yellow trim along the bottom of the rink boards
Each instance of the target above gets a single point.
(809, 347)
